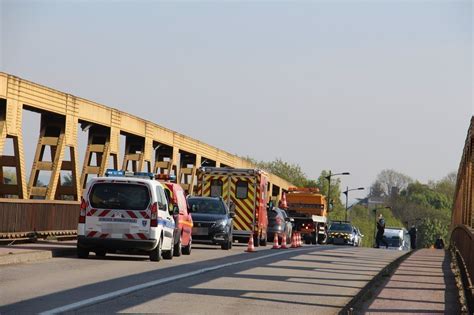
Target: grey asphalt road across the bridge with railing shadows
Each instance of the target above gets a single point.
(311, 279)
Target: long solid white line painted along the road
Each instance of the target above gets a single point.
(115, 294)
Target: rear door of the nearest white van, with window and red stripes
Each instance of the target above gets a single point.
(118, 209)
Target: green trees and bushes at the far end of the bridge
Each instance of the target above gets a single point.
(428, 206)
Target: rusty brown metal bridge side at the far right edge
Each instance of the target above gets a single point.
(462, 224)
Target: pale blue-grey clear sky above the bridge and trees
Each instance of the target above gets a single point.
(356, 86)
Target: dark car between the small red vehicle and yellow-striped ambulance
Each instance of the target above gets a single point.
(212, 221)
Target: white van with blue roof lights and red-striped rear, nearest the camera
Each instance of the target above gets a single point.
(125, 212)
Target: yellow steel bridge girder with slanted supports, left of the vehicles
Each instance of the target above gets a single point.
(148, 146)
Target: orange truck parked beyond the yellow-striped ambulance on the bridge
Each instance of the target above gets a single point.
(308, 208)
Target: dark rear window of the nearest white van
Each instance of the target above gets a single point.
(119, 196)
